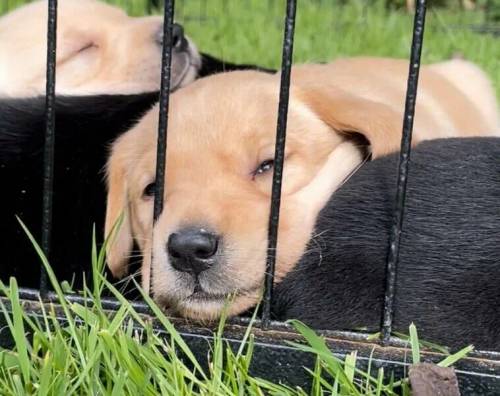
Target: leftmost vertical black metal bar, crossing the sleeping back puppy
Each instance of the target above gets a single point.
(48, 155)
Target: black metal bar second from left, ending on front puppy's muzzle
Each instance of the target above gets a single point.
(166, 69)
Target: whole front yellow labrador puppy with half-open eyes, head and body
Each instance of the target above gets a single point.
(210, 241)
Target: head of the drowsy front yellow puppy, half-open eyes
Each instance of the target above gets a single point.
(210, 242)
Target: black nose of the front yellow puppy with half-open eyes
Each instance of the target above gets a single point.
(192, 249)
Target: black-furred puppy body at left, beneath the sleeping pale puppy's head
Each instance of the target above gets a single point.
(85, 127)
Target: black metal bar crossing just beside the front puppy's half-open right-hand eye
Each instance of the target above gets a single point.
(272, 237)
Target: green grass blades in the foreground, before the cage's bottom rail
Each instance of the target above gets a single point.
(94, 352)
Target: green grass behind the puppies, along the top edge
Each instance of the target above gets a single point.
(251, 31)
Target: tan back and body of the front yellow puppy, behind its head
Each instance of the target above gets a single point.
(444, 106)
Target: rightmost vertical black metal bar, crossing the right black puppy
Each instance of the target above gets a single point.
(404, 158)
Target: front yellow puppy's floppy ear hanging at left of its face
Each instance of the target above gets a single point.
(117, 228)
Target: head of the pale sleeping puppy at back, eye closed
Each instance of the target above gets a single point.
(99, 50)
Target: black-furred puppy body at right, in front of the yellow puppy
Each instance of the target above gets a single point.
(448, 279)
